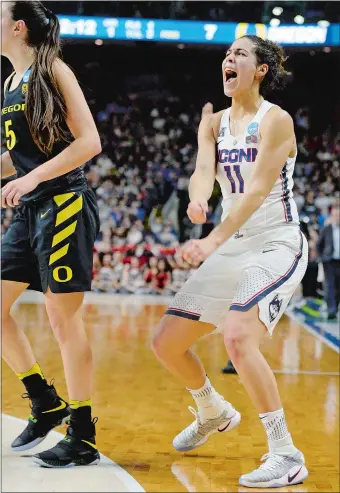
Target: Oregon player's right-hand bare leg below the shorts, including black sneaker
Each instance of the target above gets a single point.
(79, 445)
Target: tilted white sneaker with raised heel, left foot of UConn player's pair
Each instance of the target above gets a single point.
(199, 431)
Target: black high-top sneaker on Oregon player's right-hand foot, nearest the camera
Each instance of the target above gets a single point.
(77, 448)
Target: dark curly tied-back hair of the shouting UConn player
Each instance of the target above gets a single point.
(274, 56)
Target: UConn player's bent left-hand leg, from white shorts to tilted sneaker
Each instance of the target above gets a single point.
(179, 329)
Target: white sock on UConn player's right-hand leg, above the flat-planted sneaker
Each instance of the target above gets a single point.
(279, 439)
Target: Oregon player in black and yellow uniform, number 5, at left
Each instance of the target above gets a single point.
(50, 134)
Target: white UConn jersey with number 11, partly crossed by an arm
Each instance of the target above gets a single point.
(236, 161)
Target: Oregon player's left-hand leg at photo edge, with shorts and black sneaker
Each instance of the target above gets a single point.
(19, 270)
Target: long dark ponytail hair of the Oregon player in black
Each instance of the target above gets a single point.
(45, 105)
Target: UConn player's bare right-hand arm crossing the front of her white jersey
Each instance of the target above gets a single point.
(277, 139)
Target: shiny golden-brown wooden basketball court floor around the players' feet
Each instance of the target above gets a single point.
(141, 408)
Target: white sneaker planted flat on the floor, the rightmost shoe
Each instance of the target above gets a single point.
(277, 471)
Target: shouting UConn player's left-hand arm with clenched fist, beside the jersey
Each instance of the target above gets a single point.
(203, 178)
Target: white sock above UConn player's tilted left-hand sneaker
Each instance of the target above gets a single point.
(210, 404)
